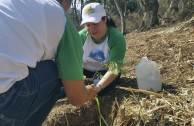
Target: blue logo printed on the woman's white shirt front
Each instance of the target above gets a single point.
(97, 55)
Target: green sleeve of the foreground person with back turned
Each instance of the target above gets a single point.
(69, 53)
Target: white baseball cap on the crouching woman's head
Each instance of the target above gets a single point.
(93, 12)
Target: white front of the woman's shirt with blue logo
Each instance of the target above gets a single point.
(95, 55)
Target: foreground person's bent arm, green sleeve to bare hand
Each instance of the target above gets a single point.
(69, 62)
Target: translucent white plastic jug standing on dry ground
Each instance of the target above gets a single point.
(148, 75)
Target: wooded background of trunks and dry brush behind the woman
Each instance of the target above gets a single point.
(131, 15)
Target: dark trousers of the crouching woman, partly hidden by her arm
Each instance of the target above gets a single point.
(112, 85)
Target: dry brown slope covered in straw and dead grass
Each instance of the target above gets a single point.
(172, 48)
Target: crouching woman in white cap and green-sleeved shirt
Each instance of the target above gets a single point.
(104, 48)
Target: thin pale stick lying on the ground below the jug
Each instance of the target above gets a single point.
(140, 90)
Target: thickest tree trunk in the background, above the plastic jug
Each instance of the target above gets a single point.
(150, 18)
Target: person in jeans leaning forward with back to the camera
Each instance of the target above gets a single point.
(40, 52)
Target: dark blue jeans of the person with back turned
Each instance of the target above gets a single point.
(29, 101)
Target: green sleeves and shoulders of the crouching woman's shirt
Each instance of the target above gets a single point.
(116, 43)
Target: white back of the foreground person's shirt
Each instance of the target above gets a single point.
(29, 32)
